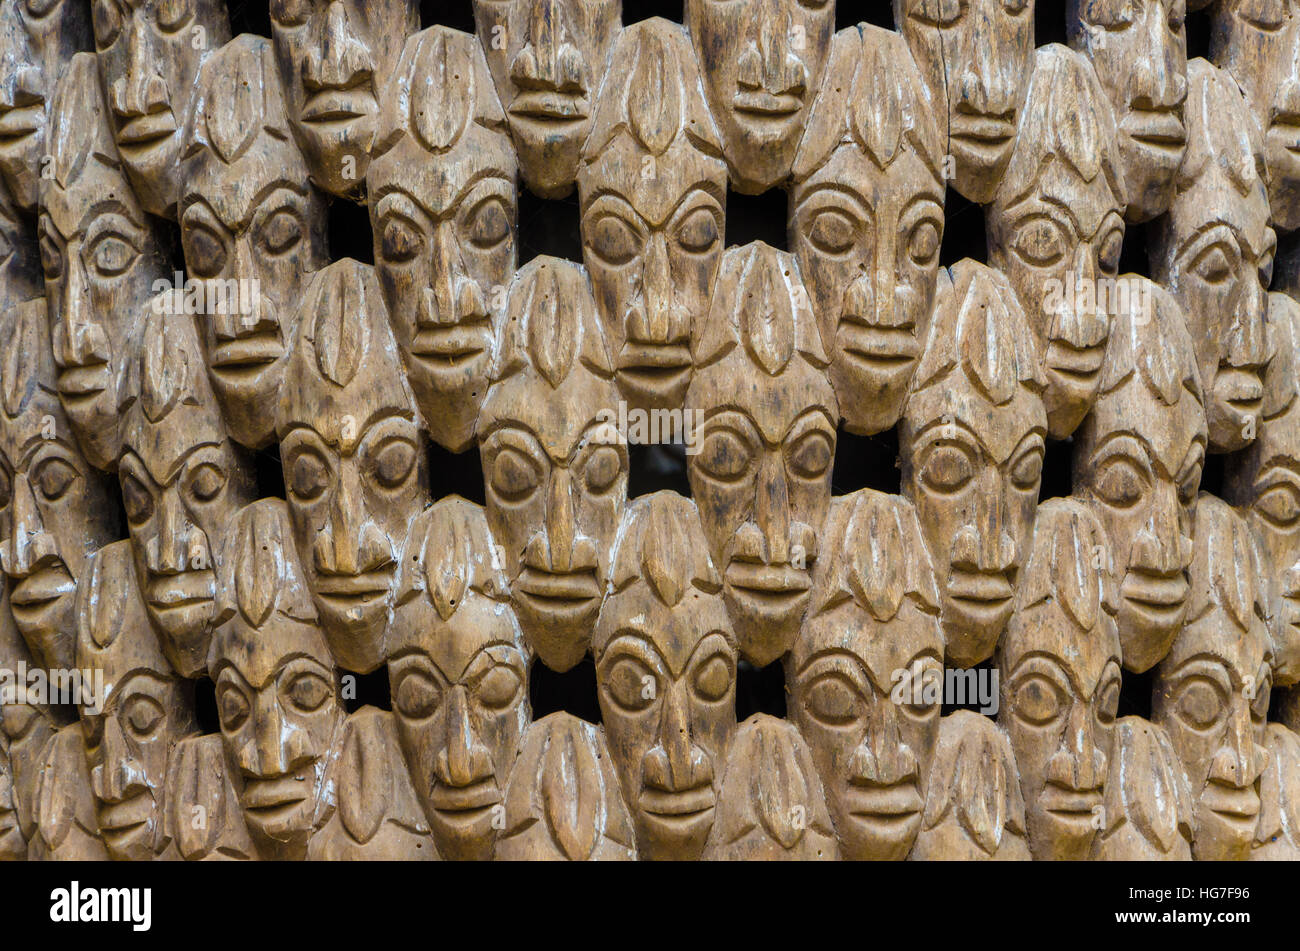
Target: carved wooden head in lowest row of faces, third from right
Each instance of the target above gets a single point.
(876, 614)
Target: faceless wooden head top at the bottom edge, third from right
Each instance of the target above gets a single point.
(974, 811)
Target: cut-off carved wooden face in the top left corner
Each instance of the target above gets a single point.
(37, 41)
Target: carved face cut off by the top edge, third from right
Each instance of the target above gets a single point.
(976, 58)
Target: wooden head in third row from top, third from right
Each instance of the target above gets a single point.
(972, 446)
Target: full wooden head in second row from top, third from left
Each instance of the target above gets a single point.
(444, 212)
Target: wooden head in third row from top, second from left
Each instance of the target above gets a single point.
(181, 479)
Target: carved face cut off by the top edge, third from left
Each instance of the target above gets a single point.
(335, 58)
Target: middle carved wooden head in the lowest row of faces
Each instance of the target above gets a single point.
(666, 676)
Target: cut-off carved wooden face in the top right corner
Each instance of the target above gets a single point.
(1259, 44)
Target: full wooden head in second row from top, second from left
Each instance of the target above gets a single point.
(253, 228)
